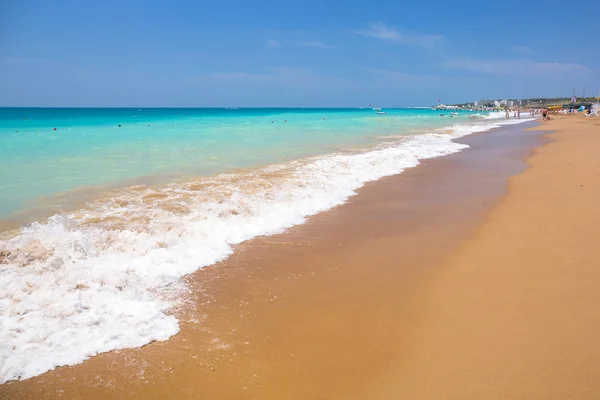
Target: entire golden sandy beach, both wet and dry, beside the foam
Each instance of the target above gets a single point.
(377, 299)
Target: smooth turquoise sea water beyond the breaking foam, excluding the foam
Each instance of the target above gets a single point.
(88, 148)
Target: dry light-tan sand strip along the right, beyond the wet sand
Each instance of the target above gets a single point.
(515, 312)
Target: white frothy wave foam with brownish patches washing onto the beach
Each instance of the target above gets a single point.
(103, 278)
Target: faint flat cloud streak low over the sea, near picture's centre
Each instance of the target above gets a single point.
(274, 74)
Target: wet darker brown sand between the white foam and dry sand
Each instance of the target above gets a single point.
(303, 289)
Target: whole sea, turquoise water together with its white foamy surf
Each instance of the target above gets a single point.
(105, 209)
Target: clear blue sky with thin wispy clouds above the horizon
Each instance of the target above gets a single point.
(292, 53)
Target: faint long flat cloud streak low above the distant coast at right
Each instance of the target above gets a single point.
(516, 67)
